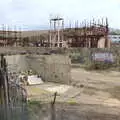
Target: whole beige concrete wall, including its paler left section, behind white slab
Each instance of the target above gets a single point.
(55, 68)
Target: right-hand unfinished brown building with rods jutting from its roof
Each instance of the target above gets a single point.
(90, 35)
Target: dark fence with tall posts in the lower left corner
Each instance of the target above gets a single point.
(13, 97)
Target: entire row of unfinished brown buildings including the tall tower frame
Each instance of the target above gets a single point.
(93, 34)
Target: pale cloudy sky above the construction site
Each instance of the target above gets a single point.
(33, 14)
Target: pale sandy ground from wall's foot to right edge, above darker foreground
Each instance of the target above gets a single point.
(88, 87)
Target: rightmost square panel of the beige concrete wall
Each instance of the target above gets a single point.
(58, 68)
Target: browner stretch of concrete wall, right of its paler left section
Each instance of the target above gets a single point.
(55, 68)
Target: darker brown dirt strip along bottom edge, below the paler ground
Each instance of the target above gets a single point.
(71, 112)
